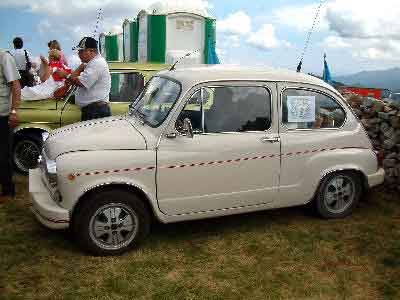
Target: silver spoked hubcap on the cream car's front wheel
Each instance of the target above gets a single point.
(113, 226)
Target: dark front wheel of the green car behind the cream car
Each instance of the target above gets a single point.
(26, 154)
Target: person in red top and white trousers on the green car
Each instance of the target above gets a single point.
(51, 81)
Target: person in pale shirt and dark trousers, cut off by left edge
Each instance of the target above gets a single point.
(9, 85)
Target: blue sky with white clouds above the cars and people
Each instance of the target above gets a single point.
(356, 35)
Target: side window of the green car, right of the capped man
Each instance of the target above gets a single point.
(125, 87)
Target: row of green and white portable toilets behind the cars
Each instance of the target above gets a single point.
(164, 32)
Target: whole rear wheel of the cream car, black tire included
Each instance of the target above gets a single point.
(338, 195)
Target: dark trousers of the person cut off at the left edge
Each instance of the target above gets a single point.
(5, 158)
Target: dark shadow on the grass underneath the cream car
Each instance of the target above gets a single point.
(299, 217)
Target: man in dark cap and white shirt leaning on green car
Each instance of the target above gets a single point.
(93, 80)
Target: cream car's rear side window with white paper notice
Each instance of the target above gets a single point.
(304, 109)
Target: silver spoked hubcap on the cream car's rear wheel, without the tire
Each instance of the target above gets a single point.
(339, 194)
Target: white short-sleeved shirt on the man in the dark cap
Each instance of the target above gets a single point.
(96, 81)
